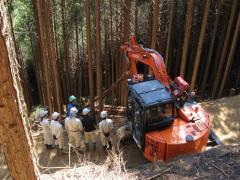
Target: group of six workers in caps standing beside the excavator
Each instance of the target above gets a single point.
(81, 130)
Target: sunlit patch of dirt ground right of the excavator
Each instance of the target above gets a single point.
(225, 118)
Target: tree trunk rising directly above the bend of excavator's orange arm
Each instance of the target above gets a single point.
(156, 8)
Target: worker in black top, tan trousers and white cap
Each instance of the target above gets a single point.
(89, 125)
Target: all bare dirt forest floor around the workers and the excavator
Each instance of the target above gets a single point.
(222, 162)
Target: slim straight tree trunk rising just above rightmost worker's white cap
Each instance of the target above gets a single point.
(98, 55)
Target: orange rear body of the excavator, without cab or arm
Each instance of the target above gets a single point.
(170, 142)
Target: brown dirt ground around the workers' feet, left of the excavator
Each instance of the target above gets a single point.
(51, 158)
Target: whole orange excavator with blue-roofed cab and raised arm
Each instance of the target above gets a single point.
(164, 119)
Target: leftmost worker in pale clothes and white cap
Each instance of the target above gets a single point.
(45, 123)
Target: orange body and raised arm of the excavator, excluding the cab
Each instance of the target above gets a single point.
(191, 126)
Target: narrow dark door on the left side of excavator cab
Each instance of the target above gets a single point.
(137, 125)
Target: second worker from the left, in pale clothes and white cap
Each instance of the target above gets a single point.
(57, 131)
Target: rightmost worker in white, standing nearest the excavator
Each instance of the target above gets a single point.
(105, 127)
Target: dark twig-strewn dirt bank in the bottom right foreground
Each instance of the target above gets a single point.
(221, 162)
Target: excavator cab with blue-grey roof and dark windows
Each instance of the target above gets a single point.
(150, 107)
